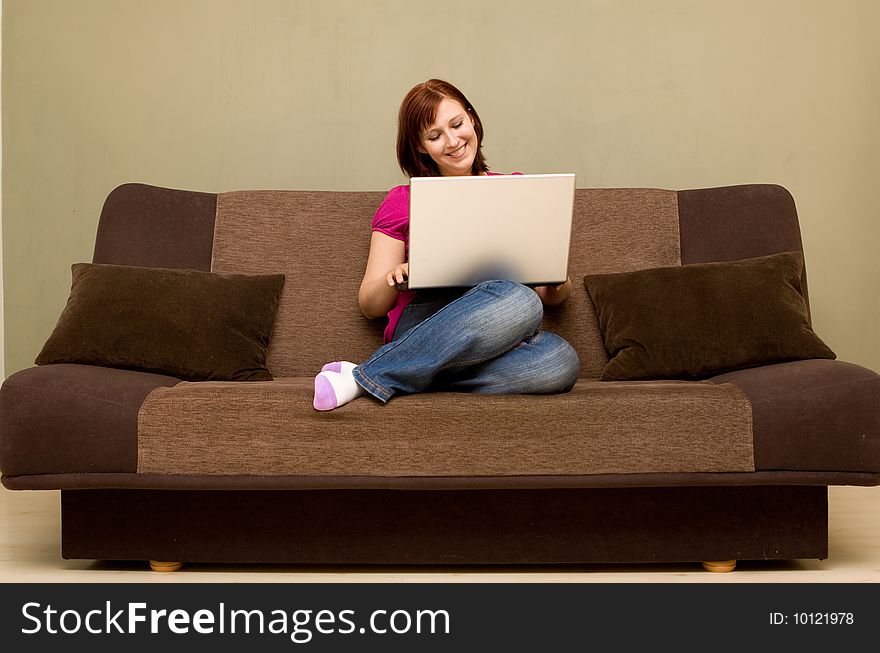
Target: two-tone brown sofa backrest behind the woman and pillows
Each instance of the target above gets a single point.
(320, 241)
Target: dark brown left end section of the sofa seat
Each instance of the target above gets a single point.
(60, 419)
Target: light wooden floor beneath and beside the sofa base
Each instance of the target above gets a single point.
(30, 552)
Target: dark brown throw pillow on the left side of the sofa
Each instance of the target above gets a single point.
(197, 326)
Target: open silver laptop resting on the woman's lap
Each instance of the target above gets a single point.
(464, 230)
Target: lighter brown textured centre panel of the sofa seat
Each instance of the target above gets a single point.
(270, 428)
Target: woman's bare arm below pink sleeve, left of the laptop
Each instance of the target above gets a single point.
(386, 265)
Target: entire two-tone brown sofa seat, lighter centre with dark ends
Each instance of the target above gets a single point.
(816, 416)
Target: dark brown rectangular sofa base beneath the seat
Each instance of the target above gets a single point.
(660, 524)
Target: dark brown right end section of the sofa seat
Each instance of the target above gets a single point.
(813, 415)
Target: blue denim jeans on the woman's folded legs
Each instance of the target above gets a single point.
(486, 340)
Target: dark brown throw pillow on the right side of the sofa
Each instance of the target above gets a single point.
(697, 320)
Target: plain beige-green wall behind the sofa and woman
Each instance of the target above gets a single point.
(219, 95)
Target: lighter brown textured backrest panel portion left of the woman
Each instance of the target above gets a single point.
(320, 241)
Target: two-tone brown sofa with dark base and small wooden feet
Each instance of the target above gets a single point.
(709, 466)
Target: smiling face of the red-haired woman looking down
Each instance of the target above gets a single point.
(451, 140)
